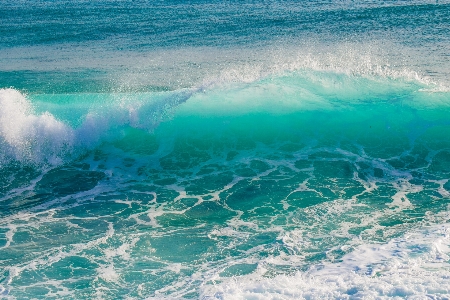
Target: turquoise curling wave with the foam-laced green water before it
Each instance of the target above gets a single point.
(217, 187)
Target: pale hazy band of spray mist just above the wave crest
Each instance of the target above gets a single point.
(92, 69)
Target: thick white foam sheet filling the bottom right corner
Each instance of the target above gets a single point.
(414, 266)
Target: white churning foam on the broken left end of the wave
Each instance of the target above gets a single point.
(40, 138)
